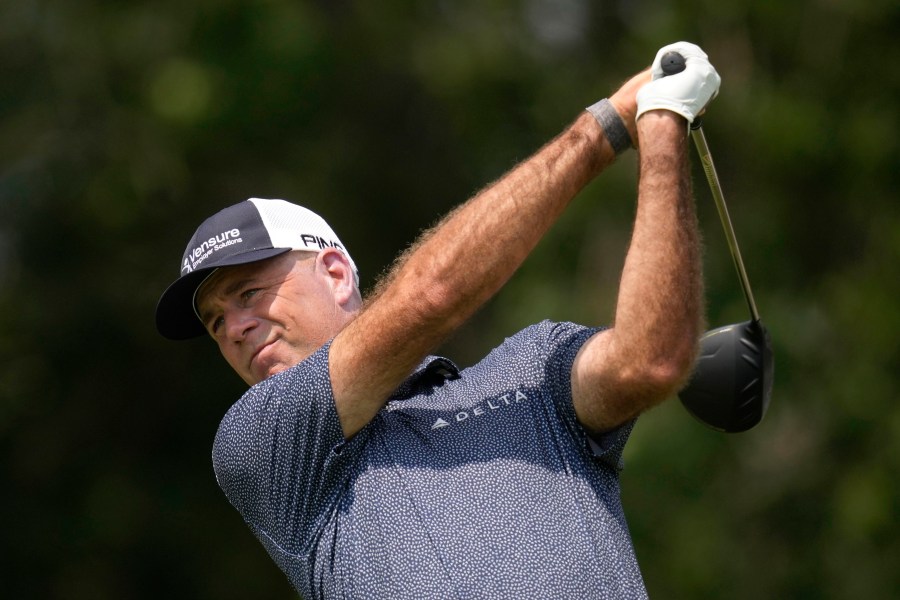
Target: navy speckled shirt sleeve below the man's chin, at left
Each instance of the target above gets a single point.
(277, 455)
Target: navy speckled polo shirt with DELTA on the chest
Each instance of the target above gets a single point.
(471, 484)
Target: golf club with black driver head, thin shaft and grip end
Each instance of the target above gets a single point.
(731, 386)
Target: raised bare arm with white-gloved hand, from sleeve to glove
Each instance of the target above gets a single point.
(649, 351)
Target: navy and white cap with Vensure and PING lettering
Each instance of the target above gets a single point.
(252, 230)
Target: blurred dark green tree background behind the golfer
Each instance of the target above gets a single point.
(124, 123)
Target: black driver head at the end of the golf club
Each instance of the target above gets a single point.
(732, 383)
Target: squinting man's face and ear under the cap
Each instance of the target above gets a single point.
(269, 315)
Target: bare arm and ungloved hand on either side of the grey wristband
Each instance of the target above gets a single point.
(459, 264)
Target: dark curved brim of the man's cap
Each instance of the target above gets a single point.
(175, 316)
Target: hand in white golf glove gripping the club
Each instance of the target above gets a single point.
(686, 93)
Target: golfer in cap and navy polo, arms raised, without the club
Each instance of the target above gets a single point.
(369, 468)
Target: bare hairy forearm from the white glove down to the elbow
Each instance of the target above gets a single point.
(659, 307)
